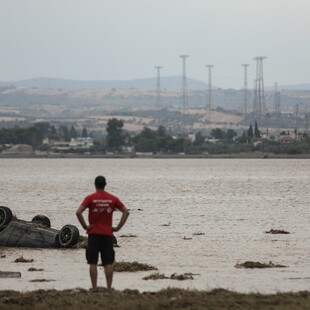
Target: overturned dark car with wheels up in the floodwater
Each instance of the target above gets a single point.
(36, 233)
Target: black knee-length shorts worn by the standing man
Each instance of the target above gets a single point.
(102, 244)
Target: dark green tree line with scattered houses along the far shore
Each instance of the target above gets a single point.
(117, 139)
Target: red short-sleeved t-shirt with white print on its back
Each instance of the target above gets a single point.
(101, 206)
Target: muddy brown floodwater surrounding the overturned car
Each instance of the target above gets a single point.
(221, 206)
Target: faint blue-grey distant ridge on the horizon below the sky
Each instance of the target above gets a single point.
(171, 82)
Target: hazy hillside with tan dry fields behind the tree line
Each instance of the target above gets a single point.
(93, 107)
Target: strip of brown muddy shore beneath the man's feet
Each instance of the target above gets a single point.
(169, 298)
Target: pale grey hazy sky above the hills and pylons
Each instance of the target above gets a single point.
(125, 39)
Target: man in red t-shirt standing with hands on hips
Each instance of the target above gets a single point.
(101, 206)
